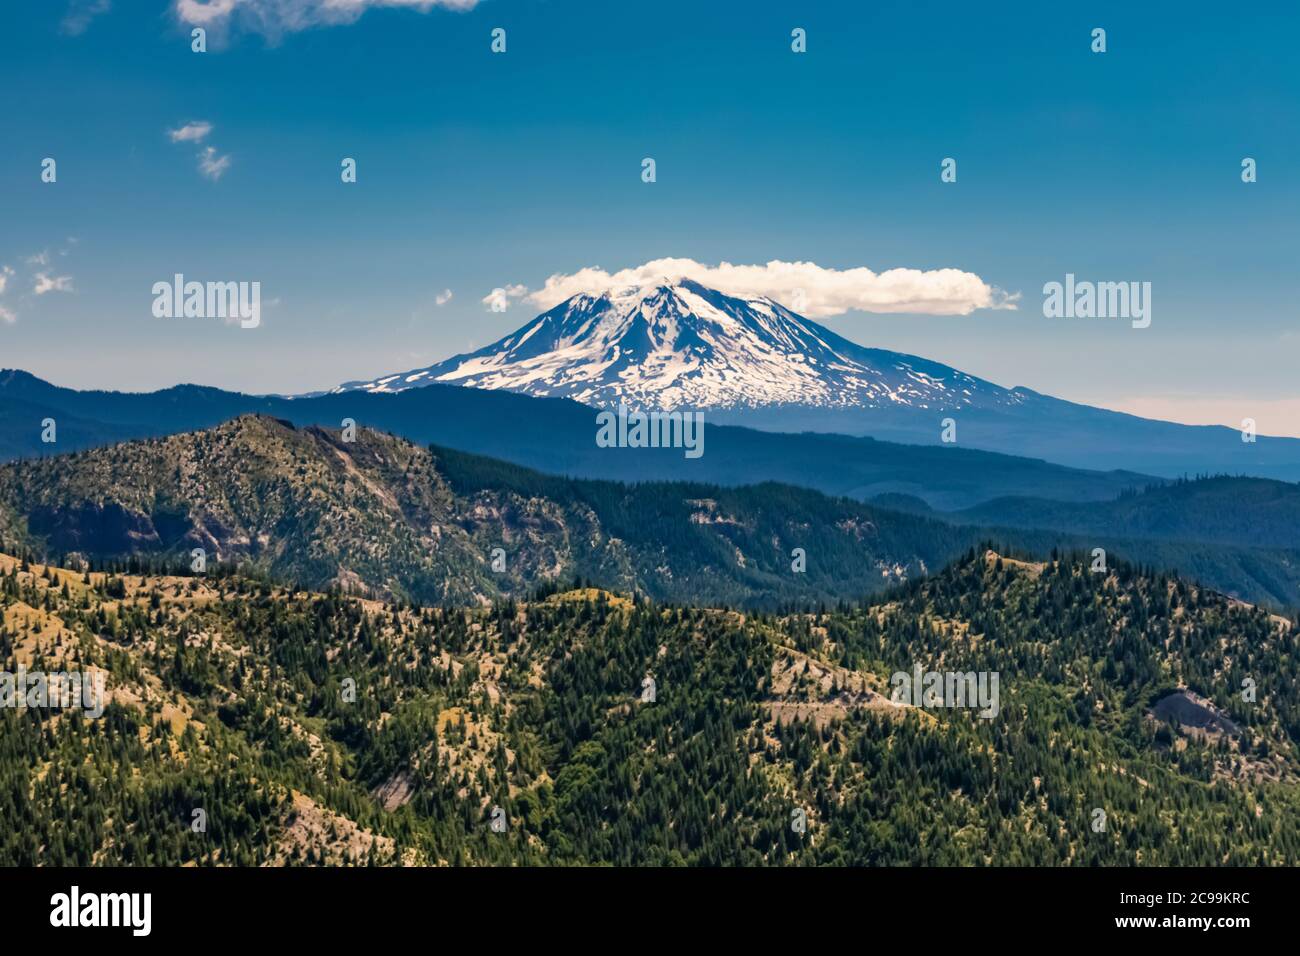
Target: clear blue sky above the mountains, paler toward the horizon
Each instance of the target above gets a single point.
(479, 171)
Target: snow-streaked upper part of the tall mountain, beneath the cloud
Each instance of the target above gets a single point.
(686, 347)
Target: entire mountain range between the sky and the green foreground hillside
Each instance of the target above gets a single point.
(417, 535)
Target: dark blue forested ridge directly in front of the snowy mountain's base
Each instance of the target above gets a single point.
(557, 436)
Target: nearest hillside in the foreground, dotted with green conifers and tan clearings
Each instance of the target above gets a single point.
(317, 729)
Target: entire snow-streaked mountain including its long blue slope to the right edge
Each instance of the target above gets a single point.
(757, 364)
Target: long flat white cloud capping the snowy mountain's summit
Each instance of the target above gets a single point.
(808, 288)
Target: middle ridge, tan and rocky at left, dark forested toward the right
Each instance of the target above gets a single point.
(384, 517)
